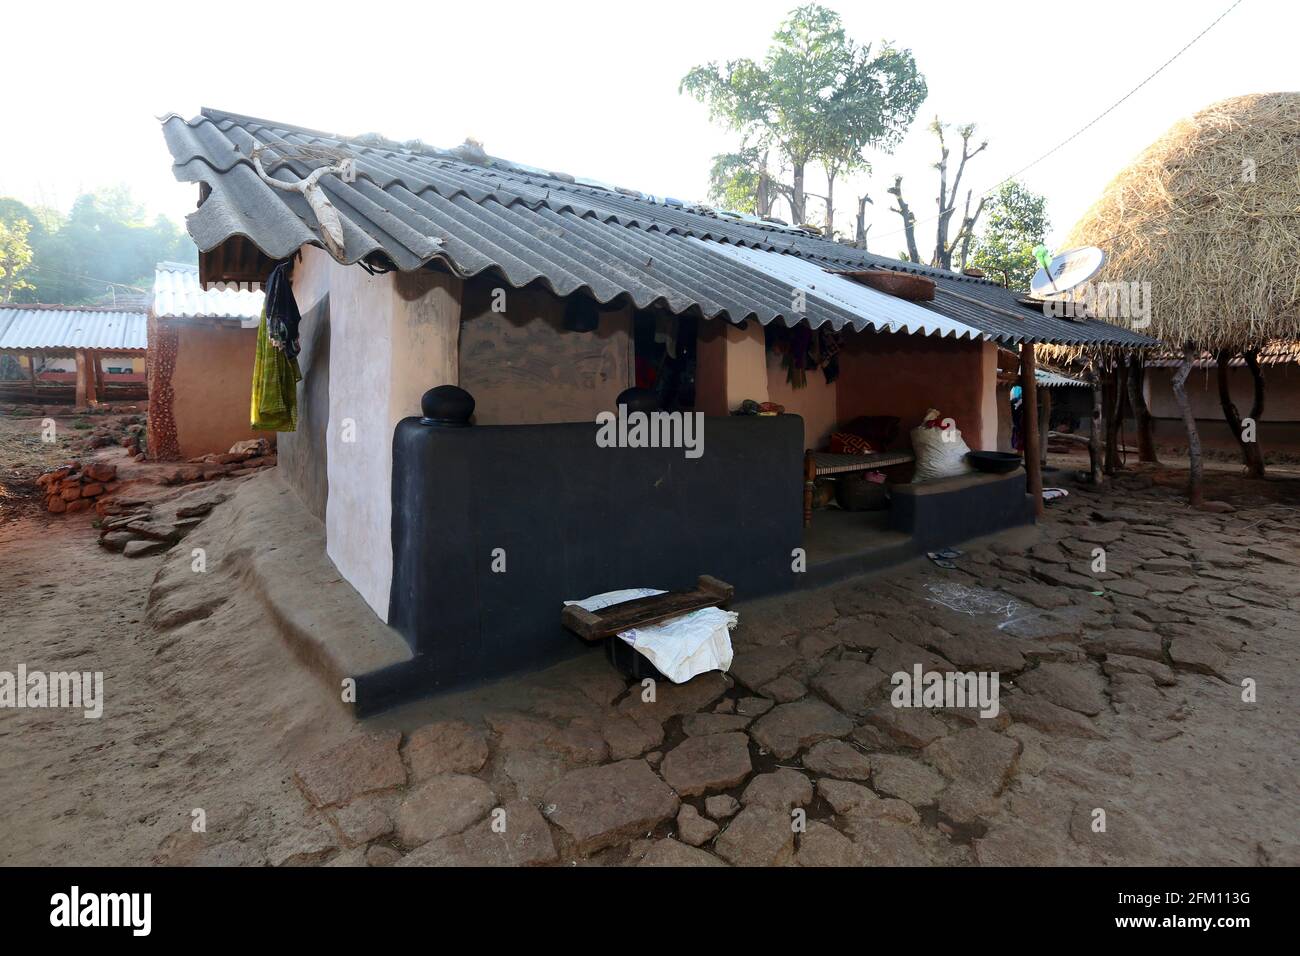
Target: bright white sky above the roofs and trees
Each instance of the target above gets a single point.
(592, 88)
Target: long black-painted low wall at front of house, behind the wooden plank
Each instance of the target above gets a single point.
(566, 520)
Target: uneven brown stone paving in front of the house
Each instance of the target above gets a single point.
(1121, 698)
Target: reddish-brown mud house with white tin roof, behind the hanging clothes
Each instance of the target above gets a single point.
(201, 364)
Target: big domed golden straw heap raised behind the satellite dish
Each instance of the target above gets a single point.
(1211, 217)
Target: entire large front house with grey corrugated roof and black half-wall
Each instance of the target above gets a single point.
(465, 517)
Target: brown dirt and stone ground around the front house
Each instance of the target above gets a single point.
(1121, 693)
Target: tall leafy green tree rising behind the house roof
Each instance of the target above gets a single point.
(816, 97)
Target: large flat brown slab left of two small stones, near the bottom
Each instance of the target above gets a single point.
(608, 806)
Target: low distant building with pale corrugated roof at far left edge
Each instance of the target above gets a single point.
(79, 354)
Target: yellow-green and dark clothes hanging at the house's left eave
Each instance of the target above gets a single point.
(275, 369)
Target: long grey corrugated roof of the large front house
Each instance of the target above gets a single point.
(413, 206)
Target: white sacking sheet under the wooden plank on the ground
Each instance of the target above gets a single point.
(681, 648)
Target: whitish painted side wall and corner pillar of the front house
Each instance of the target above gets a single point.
(392, 339)
